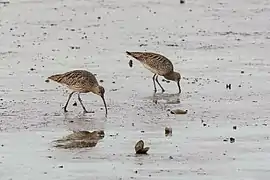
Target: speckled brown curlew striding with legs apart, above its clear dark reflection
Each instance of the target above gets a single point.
(80, 81)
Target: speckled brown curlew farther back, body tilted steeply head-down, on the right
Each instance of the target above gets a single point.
(159, 65)
